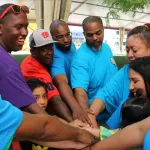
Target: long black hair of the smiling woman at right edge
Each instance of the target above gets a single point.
(142, 66)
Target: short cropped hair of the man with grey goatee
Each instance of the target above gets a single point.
(91, 19)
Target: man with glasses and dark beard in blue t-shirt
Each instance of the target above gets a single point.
(60, 68)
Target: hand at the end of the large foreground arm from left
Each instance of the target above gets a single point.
(85, 137)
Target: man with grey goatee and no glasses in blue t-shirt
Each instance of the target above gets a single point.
(93, 64)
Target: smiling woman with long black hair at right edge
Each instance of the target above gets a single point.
(140, 76)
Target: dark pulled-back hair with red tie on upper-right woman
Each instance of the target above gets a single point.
(143, 32)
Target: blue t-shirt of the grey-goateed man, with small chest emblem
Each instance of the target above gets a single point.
(91, 70)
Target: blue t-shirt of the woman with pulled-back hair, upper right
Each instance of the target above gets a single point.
(116, 90)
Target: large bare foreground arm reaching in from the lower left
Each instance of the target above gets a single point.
(47, 128)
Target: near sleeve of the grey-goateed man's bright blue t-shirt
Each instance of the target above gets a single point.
(79, 72)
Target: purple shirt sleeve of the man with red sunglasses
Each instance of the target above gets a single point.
(15, 90)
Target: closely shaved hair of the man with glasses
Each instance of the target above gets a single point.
(55, 24)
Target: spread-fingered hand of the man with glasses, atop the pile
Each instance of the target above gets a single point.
(82, 114)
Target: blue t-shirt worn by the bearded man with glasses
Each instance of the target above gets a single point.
(62, 61)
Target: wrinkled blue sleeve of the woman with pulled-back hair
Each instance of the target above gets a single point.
(112, 93)
